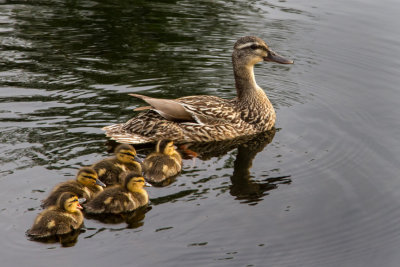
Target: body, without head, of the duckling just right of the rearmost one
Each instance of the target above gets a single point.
(115, 200)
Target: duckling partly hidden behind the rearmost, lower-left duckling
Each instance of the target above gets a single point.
(85, 186)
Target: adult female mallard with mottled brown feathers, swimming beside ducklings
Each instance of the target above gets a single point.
(205, 118)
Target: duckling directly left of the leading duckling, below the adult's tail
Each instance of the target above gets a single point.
(112, 170)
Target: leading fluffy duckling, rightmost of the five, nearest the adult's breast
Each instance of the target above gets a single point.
(165, 162)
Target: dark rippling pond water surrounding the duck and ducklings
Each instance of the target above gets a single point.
(322, 190)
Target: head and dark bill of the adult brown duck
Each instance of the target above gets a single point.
(250, 50)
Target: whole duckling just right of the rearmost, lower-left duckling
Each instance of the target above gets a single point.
(120, 198)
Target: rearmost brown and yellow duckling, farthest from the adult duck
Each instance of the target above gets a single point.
(59, 219)
